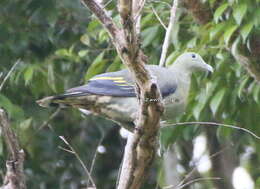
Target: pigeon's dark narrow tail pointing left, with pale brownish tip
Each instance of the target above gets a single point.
(63, 100)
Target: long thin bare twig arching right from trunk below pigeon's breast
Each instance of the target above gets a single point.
(214, 124)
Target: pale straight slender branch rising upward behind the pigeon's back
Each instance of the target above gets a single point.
(168, 33)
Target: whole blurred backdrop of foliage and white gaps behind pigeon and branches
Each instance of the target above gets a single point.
(61, 45)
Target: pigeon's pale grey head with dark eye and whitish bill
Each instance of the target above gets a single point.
(191, 62)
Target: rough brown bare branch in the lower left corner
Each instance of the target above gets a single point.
(14, 178)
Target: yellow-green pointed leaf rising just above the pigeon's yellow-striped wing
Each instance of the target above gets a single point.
(96, 67)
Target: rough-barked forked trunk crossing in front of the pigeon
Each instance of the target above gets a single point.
(141, 145)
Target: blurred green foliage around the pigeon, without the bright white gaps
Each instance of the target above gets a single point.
(62, 46)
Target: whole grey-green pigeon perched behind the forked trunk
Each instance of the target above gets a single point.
(112, 95)
